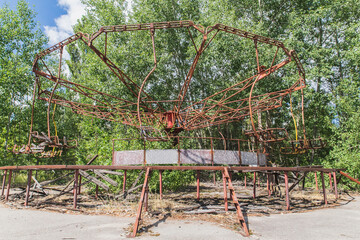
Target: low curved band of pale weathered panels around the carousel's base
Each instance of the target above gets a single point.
(188, 156)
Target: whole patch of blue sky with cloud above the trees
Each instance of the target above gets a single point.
(55, 16)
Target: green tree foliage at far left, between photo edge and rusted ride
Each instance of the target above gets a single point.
(20, 39)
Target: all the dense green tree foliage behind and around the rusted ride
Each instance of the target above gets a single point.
(325, 35)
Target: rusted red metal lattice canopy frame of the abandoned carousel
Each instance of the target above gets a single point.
(143, 110)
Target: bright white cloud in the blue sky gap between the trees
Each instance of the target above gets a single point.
(63, 29)
